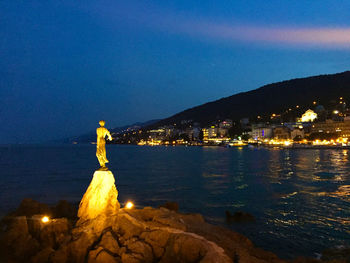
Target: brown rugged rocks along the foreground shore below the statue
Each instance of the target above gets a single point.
(130, 236)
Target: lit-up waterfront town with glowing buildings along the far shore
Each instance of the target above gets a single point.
(314, 127)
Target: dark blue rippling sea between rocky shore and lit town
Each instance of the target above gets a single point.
(300, 198)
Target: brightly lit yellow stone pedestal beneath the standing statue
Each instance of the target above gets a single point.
(100, 199)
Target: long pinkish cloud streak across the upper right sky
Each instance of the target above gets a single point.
(277, 35)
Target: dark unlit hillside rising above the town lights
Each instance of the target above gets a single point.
(268, 99)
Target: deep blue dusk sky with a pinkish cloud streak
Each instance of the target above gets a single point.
(64, 65)
